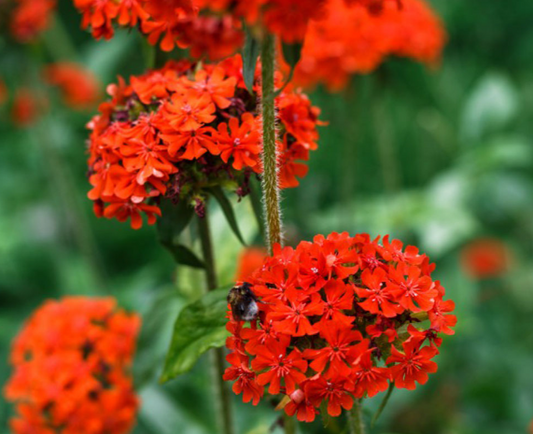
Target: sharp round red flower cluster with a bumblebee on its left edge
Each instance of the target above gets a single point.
(339, 319)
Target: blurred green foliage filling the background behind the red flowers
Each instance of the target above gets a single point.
(437, 158)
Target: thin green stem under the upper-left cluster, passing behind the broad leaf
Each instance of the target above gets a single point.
(221, 392)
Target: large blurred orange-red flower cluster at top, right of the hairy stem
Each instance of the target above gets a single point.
(353, 40)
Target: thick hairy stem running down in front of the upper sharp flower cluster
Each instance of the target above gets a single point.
(270, 176)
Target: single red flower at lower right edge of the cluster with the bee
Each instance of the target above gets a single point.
(413, 364)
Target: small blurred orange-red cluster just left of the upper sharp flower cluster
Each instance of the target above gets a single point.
(79, 87)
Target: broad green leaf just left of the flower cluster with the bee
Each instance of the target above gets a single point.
(200, 326)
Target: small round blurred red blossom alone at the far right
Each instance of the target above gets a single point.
(485, 258)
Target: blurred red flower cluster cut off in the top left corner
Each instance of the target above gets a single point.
(30, 18)
